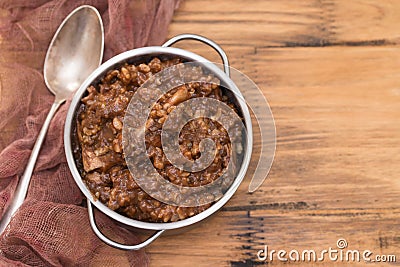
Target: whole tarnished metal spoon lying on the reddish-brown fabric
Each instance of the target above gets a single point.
(75, 51)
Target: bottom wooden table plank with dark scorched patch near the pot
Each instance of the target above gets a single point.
(233, 238)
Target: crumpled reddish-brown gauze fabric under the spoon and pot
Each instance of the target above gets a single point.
(52, 228)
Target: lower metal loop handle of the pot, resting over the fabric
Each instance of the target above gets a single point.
(113, 243)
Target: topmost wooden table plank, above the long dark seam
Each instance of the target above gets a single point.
(290, 23)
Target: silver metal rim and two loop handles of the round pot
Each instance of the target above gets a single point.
(137, 55)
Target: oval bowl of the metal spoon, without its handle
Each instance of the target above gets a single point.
(75, 51)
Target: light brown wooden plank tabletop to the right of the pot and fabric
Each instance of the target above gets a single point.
(330, 70)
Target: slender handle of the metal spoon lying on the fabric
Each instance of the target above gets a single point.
(23, 184)
